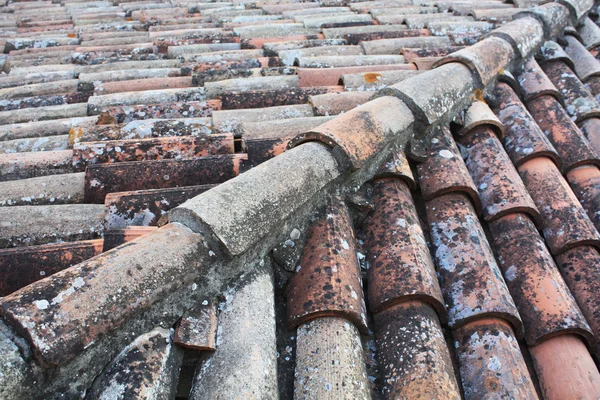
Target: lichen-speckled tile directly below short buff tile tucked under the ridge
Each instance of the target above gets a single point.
(500, 187)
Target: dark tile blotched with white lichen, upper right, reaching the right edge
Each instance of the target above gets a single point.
(580, 103)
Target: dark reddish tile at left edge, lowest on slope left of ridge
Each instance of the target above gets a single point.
(23, 266)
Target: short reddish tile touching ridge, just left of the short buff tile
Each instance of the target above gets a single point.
(444, 171)
